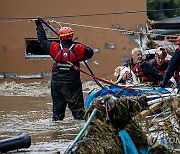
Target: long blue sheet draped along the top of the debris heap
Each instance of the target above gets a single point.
(117, 91)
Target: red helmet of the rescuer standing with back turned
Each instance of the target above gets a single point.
(66, 33)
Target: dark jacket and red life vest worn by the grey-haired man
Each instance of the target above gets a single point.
(144, 71)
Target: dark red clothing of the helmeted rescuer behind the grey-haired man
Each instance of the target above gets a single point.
(162, 68)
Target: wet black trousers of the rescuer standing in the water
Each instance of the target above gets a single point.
(67, 93)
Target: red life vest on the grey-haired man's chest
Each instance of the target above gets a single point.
(138, 71)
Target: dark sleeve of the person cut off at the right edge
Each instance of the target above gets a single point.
(174, 65)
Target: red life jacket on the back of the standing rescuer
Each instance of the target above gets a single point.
(62, 55)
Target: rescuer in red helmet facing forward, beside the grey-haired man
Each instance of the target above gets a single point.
(159, 61)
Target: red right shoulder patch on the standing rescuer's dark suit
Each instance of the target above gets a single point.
(79, 50)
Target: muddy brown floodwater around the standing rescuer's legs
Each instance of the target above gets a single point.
(26, 108)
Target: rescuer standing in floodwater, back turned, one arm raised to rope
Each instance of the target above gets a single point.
(66, 86)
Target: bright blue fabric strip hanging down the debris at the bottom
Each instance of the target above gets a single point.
(128, 145)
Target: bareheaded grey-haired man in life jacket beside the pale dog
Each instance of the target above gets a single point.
(144, 71)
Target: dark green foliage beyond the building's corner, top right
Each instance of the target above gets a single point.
(160, 5)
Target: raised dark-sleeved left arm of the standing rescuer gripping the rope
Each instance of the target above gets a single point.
(42, 39)
